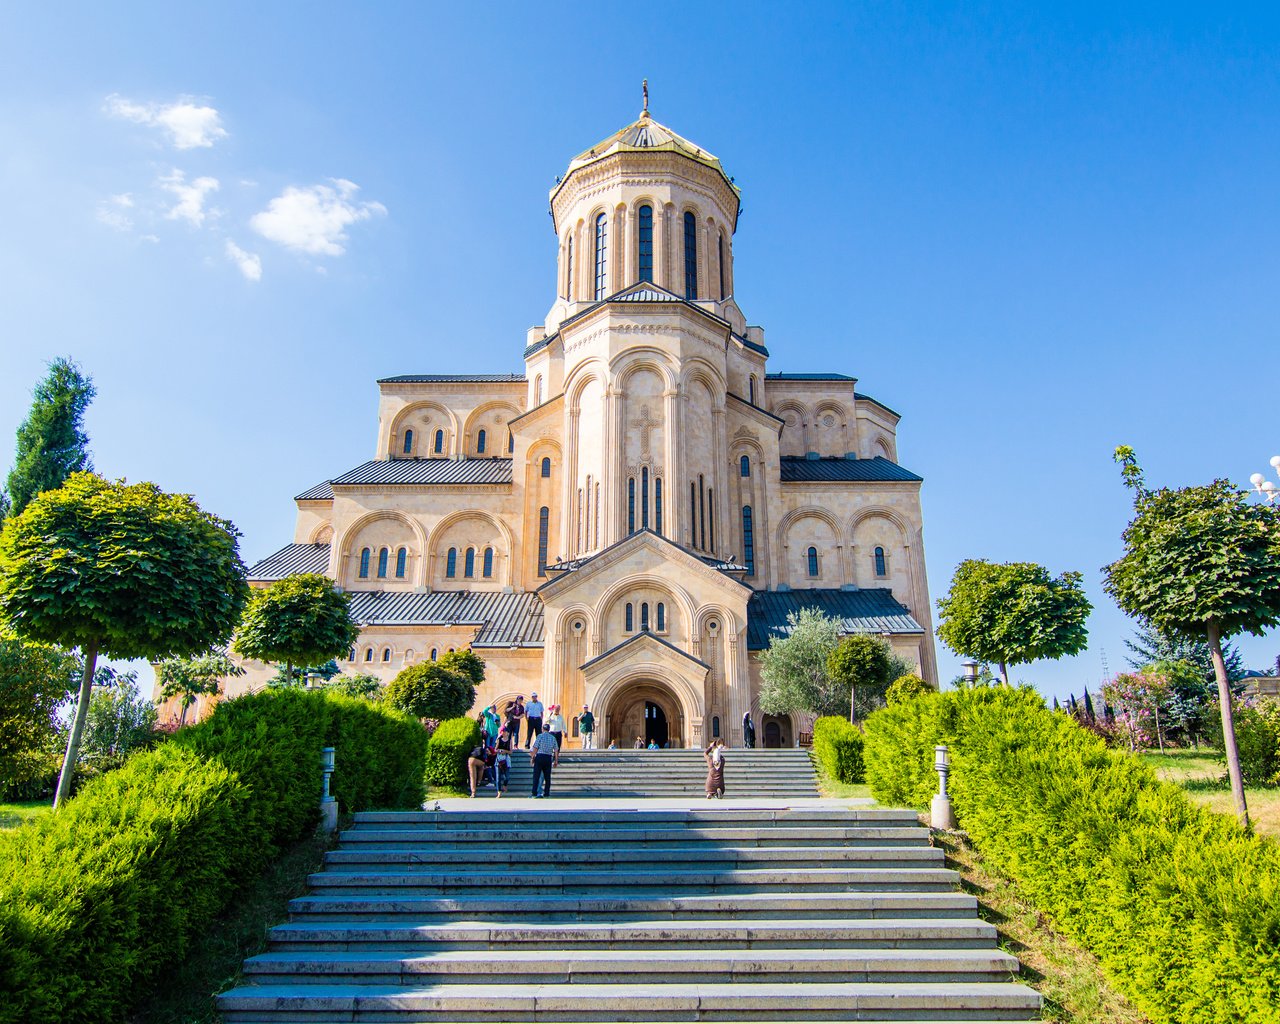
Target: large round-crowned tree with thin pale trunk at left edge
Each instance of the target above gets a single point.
(122, 570)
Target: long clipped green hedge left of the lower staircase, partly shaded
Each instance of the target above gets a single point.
(100, 899)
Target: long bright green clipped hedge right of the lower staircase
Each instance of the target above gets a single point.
(1178, 903)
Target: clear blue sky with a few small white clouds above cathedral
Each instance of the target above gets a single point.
(1036, 235)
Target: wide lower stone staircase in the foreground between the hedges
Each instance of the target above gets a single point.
(556, 915)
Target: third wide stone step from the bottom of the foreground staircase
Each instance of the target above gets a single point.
(825, 934)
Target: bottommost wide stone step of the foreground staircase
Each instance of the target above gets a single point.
(625, 1003)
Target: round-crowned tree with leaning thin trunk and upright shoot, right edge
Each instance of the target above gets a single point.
(1204, 563)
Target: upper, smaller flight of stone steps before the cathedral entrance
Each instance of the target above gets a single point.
(758, 775)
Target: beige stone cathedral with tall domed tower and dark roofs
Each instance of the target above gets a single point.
(627, 523)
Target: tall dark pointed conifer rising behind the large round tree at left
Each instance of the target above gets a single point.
(52, 441)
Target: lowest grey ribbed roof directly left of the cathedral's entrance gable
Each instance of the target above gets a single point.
(504, 619)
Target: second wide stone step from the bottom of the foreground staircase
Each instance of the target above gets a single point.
(660, 967)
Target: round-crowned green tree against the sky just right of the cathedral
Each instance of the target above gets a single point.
(1013, 614)
